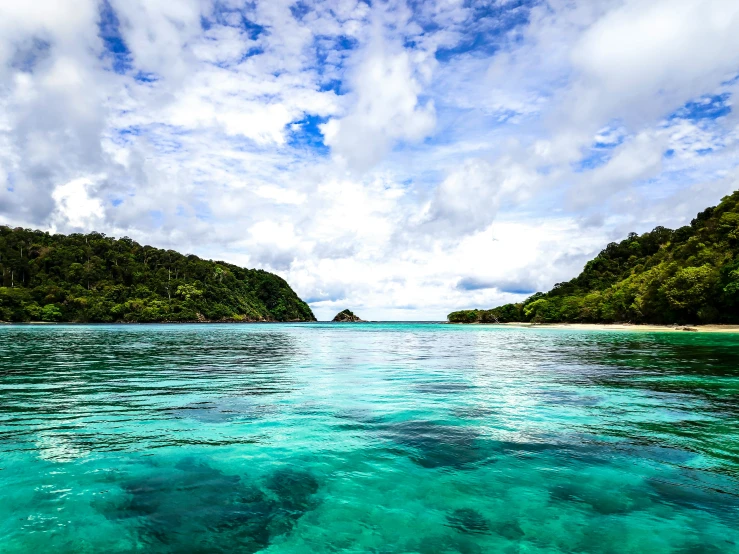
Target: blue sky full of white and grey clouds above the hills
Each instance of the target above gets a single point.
(400, 158)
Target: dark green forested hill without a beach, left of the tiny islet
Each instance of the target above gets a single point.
(100, 279)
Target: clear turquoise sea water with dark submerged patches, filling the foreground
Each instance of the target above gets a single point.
(376, 438)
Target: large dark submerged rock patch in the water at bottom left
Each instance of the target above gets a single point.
(194, 507)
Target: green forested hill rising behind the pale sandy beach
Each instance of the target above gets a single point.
(683, 276)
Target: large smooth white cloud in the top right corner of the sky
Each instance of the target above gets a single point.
(652, 56)
